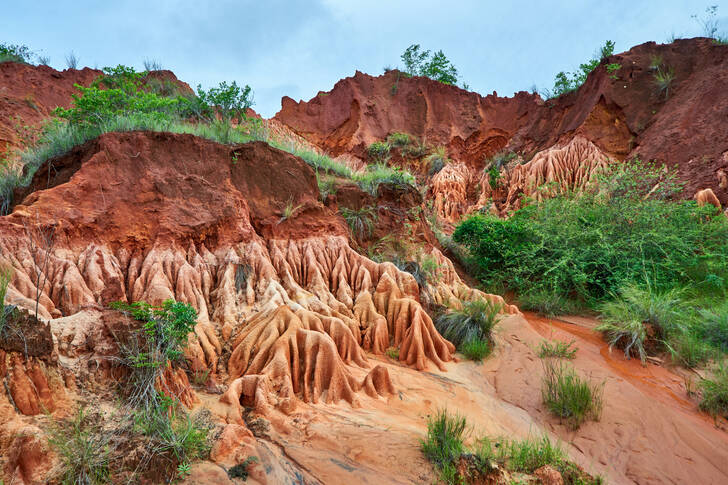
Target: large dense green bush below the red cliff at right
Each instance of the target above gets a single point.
(583, 247)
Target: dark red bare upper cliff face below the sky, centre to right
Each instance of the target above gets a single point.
(623, 113)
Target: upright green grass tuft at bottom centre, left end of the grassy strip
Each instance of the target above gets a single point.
(443, 444)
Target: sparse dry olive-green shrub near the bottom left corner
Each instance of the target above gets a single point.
(83, 449)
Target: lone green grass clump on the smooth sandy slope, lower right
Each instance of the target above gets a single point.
(570, 397)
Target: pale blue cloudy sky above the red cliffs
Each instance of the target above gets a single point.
(298, 48)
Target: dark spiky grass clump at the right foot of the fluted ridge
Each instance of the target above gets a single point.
(474, 321)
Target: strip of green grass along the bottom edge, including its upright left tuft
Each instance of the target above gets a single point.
(444, 445)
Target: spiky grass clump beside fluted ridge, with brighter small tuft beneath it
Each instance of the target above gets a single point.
(470, 327)
